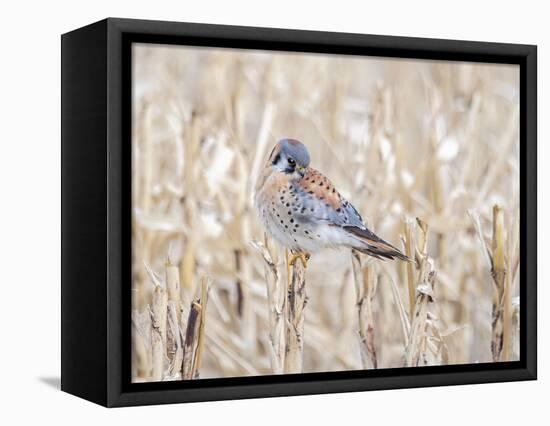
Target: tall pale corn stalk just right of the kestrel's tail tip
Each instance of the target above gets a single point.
(415, 351)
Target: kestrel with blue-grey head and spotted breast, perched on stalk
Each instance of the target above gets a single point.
(301, 208)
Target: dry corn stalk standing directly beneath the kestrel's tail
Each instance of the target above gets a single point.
(365, 288)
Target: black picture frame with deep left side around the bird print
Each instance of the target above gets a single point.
(96, 247)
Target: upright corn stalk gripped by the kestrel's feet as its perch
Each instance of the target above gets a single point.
(295, 305)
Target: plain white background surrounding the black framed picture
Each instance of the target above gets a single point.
(30, 209)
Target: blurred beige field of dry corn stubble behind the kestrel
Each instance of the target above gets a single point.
(400, 139)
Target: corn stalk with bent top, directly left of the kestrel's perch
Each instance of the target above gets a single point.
(276, 301)
